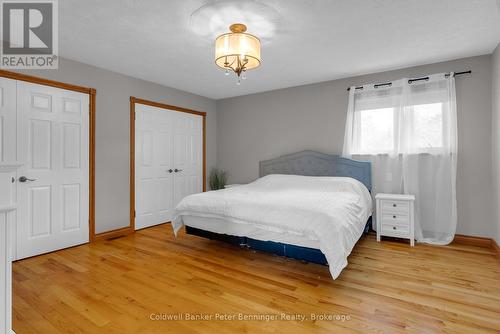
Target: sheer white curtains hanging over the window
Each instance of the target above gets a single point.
(408, 130)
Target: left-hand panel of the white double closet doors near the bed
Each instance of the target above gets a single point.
(153, 165)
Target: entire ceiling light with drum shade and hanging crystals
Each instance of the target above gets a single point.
(237, 51)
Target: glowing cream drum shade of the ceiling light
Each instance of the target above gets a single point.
(230, 46)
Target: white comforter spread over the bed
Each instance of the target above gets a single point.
(332, 210)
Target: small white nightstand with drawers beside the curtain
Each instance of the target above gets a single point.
(396, 216)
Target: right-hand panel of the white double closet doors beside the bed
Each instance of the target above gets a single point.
(188, 155)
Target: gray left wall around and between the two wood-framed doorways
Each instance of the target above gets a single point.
(112, 130)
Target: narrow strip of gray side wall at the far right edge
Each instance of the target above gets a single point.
(496, 138)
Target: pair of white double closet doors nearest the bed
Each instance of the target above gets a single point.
(168, 162)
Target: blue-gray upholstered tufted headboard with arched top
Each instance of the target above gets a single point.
(311, 163)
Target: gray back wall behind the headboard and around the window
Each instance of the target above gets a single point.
(265, 125)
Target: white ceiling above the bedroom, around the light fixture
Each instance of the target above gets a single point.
(311, 41)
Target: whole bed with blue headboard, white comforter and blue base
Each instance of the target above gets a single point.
(307, 205)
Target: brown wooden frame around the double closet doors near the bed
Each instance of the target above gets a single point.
(133, 101)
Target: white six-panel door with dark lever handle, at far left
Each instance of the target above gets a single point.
(53, 183)
